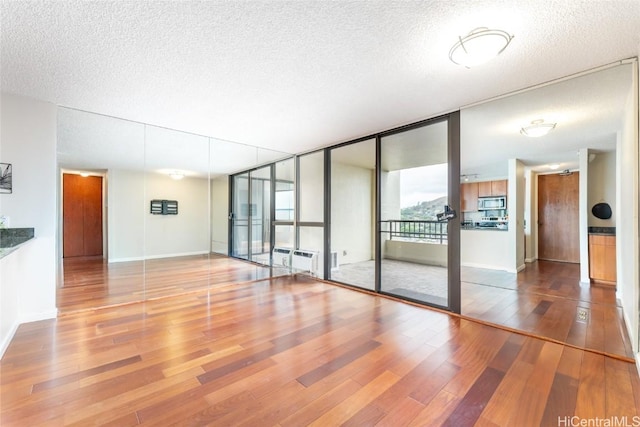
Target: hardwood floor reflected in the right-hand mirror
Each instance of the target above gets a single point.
(547, 299)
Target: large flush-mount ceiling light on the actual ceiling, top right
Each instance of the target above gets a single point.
(479, 46)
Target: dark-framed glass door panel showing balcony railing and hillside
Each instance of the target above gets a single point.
(417, 225)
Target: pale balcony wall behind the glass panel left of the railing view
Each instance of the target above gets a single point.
(352, 218)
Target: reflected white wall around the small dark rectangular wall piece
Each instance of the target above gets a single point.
(134, 233)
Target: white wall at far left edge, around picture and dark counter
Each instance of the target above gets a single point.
(28, 142)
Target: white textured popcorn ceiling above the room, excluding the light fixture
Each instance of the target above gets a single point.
(293, 76)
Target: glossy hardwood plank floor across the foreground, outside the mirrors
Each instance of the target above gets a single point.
(292, 351)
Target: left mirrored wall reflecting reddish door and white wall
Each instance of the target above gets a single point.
(144, 211)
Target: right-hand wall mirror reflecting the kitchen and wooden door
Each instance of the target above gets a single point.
(533, 253)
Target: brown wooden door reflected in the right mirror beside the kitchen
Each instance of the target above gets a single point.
(558, 218)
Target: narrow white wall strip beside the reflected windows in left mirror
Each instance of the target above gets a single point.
(220, 215)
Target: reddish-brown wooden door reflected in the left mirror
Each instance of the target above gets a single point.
(81, 215)
